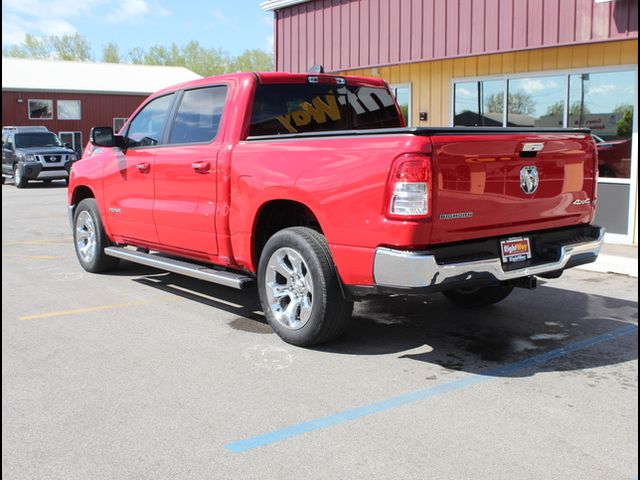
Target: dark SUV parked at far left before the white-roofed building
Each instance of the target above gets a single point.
(34, 153)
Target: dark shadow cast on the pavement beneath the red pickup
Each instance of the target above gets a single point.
(431, 329)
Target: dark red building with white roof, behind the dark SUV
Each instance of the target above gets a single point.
(71, 97)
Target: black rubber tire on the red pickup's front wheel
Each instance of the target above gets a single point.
(98, 262)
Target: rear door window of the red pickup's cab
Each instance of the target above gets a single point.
(198, 116)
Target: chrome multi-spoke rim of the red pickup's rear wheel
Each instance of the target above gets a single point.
(289, 288)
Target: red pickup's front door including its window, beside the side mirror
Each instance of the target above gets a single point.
(128, 174)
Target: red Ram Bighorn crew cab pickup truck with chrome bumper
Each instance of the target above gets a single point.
(311, 187)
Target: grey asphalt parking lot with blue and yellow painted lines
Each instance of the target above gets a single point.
(142, 374)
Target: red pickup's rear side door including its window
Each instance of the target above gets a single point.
(185, 172)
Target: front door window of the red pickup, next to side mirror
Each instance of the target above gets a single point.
(147, 128)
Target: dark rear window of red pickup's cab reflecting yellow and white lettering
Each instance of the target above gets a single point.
(286, 109)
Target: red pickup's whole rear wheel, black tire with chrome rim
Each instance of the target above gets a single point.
(299, 288)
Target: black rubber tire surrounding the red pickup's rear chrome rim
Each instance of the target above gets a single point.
(330, 311)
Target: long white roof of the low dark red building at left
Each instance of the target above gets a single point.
(116, 78)
